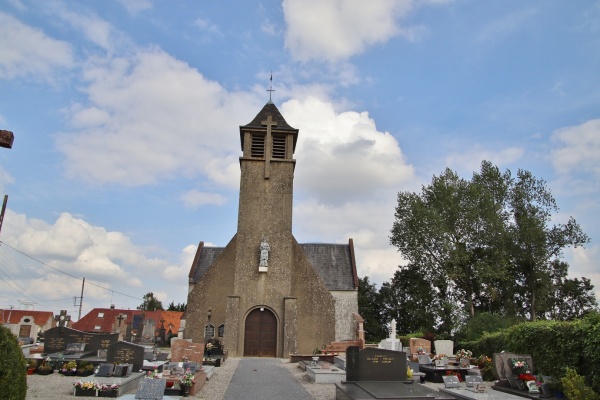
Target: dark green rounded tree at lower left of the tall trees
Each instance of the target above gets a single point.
(409, 298)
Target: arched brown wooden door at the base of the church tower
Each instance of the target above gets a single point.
(260, 338)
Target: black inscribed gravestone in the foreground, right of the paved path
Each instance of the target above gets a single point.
(372, 364)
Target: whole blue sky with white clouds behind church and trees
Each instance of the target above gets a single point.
(126, 119)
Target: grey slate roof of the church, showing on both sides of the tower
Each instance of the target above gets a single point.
(333, 262)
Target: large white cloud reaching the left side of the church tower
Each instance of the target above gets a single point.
(152, 117)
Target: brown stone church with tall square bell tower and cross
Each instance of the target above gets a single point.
(264, 294)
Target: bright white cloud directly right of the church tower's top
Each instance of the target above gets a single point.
(342, 155)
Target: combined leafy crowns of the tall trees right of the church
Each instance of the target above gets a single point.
(487, 245)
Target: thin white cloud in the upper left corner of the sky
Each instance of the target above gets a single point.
(28, 52)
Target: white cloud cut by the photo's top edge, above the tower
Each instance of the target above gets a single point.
(338, 29)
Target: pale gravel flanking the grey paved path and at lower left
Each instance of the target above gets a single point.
(59, 387)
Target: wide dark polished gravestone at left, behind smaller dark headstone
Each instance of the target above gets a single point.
(57, 339)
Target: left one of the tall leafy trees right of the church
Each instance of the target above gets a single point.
(454, 230)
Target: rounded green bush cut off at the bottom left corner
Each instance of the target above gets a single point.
(13, 374)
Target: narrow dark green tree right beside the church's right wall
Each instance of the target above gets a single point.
(369, 307)
